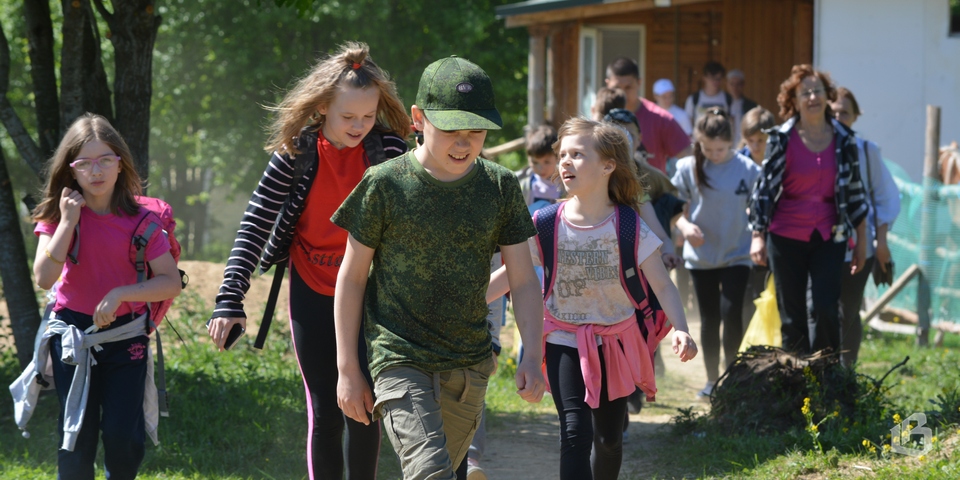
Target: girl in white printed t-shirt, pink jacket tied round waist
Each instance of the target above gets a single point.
(590, 325)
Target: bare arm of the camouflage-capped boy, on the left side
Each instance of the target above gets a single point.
(353, 393)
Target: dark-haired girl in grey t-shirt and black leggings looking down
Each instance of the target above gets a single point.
(716, 182)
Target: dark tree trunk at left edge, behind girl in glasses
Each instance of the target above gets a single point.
(14, 273)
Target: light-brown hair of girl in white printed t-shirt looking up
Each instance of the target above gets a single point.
(611, 143)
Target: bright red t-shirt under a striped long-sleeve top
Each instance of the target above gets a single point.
(318, 245)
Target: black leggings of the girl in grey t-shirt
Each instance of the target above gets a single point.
(720, 294)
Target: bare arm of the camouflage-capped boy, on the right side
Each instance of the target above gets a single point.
(528, 309)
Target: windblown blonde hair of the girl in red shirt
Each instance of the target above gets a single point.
(350, 66)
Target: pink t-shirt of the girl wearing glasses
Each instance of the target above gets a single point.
(103, 261)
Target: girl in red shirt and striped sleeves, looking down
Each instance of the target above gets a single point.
(337, 121)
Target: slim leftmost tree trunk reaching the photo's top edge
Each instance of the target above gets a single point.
(43, 73)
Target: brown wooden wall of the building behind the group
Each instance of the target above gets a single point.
(764, 38)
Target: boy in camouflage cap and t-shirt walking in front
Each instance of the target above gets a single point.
(428, 222)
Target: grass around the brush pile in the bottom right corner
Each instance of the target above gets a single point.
(706, 453)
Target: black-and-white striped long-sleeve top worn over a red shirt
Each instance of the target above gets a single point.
(266, 220)
